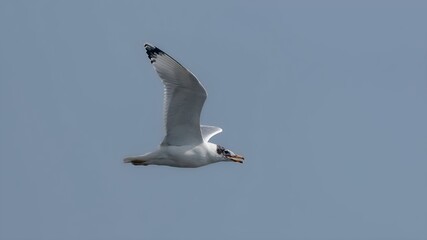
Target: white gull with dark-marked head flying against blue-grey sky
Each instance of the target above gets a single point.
(186, 143)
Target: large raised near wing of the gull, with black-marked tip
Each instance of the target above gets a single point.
(183, 99)
